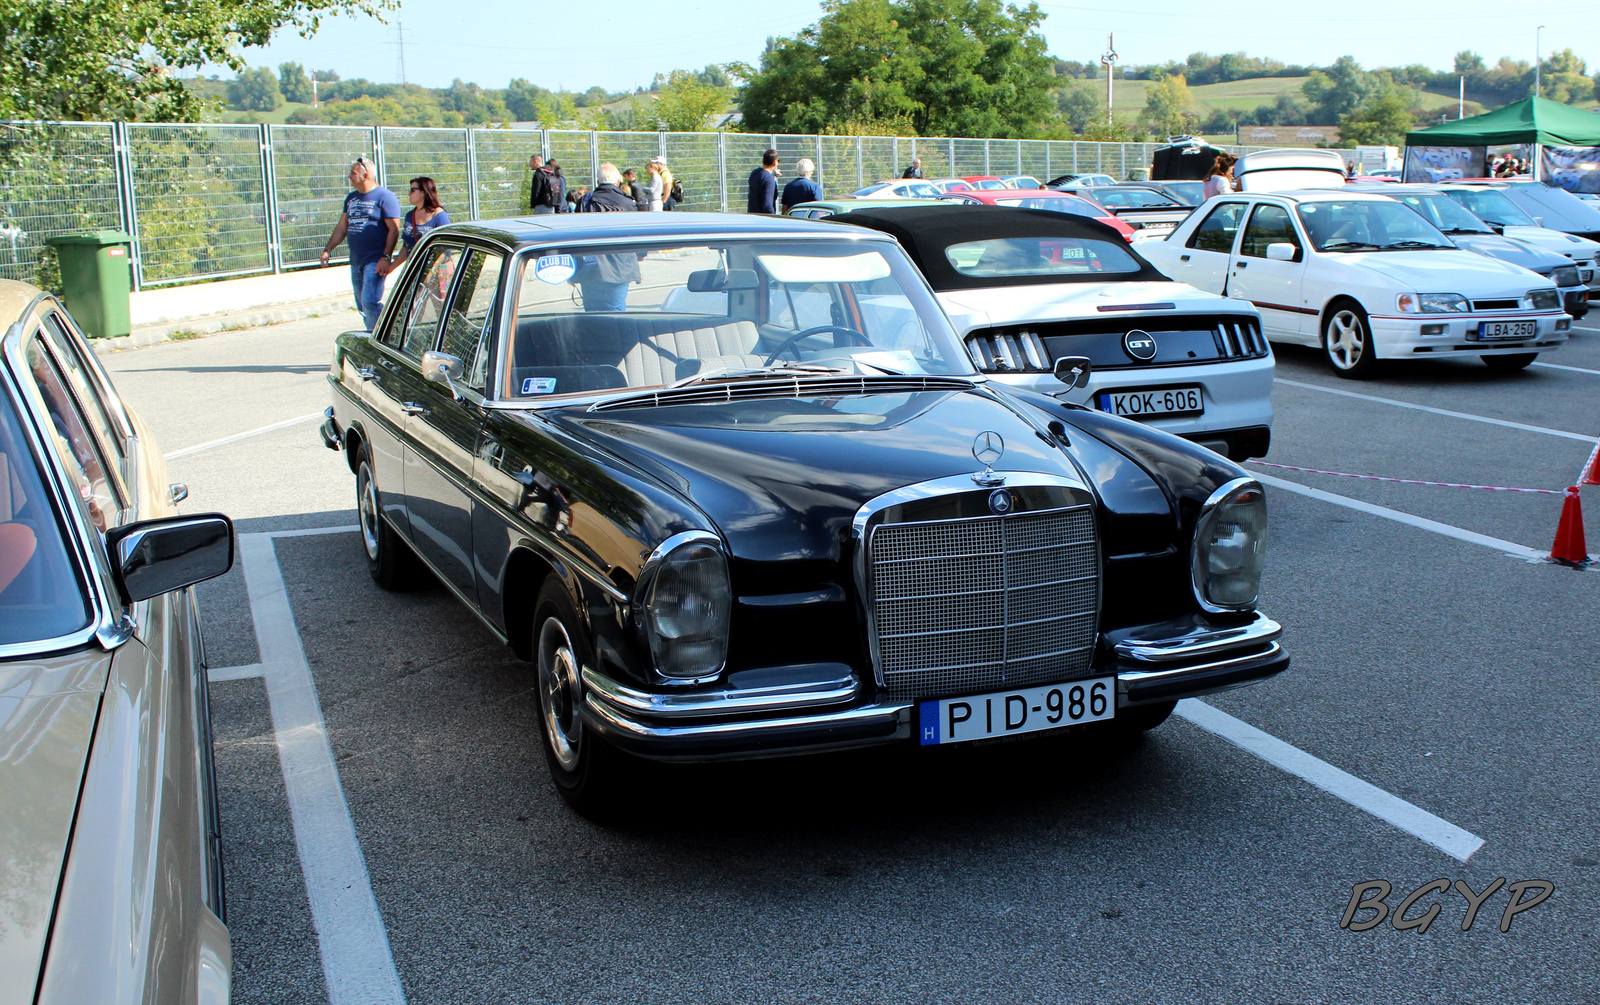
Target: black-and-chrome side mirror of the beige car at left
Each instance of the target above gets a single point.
(156, 558)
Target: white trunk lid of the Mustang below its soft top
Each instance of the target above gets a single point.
(1062, 302)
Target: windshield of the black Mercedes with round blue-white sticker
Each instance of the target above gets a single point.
(652, 316)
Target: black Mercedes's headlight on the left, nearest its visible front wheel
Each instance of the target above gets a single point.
(687, 606)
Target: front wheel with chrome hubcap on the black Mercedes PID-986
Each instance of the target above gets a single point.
(588, 772)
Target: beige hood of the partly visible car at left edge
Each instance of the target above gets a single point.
(47, 721)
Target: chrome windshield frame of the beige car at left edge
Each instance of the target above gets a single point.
(87, 547)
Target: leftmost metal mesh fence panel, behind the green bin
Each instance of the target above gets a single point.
(58, 180)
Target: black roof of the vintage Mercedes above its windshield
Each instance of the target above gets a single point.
(631, 226)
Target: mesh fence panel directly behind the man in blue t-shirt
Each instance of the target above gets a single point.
(310, 180)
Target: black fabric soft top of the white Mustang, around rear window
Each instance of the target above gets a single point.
(927, 231)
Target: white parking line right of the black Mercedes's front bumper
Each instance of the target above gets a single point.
(1335, 782)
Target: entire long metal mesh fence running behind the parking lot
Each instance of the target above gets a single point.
(199, 204)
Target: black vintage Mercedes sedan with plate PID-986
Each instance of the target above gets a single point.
(735, 489)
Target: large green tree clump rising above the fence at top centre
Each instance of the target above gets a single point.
(951, 68)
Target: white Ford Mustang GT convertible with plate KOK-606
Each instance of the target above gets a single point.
(1028, 289)
